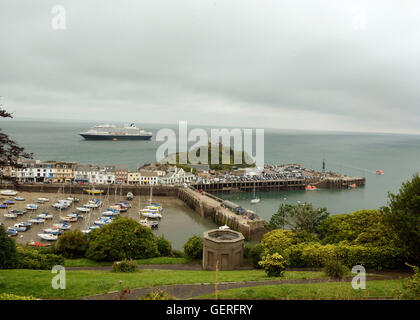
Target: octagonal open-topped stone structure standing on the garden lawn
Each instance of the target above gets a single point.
(225, 247)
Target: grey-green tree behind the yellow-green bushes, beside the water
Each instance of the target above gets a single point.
(301, 217)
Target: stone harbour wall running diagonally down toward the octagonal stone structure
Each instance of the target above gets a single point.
(210, 206)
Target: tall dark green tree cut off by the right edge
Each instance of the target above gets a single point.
(403, 216)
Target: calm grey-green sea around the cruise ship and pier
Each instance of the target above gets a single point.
(348, 153)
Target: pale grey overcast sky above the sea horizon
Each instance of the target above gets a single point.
(335, 65)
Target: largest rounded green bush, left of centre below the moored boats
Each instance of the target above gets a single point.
(122, 239)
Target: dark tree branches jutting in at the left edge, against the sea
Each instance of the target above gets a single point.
(10, 152)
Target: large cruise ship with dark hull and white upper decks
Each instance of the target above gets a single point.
(111, 132)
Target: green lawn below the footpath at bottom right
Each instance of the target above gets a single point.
(326, 290)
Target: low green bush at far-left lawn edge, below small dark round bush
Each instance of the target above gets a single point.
(32, 258)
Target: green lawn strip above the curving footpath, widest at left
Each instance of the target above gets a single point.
(37, 283)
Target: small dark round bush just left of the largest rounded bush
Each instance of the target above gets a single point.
(72, 244)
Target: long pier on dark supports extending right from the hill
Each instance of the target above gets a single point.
(277, 185)
